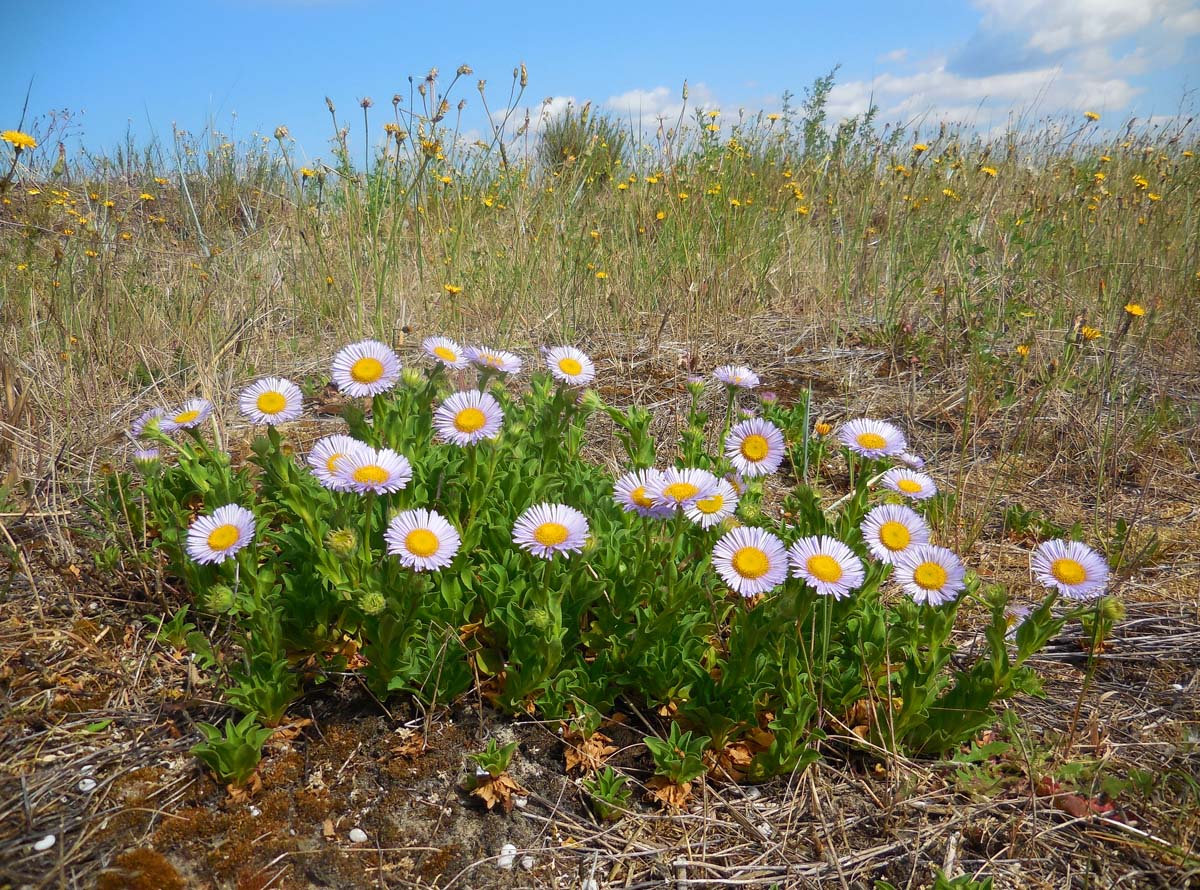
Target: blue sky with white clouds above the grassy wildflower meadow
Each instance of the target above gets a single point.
(245, 67)
